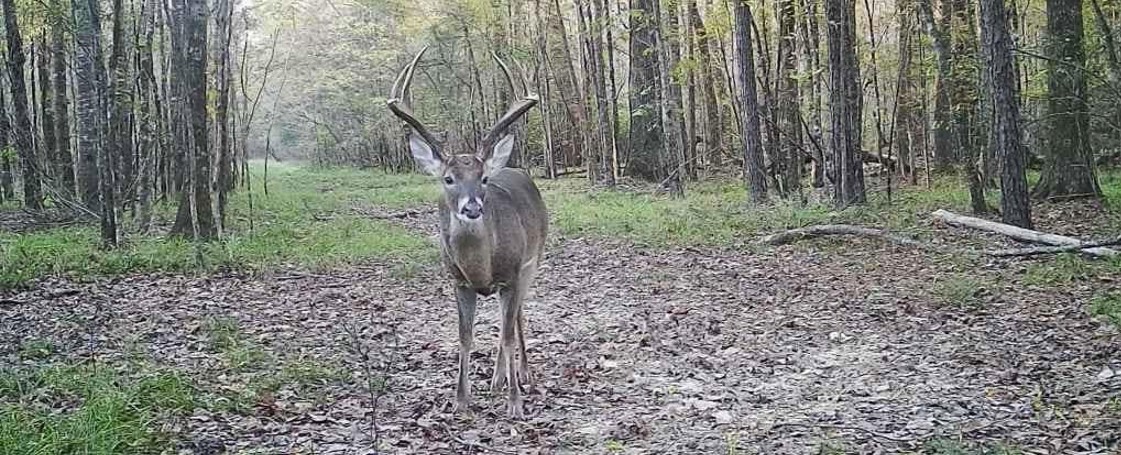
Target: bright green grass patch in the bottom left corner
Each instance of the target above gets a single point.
(89, 410)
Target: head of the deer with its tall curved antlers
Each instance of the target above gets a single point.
(465, 178)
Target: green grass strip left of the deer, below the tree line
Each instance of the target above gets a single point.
(307, 220)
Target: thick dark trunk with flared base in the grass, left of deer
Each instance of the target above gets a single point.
(196, 216)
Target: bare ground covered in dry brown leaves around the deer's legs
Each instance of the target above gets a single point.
(828, 346)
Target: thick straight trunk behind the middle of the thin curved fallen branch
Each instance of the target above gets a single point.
(846, 100)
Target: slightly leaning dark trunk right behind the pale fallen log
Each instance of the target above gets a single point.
(1015, 203)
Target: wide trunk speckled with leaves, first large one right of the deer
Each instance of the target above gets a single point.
(646, 128)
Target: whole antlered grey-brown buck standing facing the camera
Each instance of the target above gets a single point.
(493, 225)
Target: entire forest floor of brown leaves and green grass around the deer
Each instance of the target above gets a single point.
(643, 338)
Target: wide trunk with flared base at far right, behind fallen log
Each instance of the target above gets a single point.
(1069, 164)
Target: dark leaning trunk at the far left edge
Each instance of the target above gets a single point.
(23, 133)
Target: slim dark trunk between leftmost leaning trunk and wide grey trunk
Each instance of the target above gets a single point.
(63, 161)
